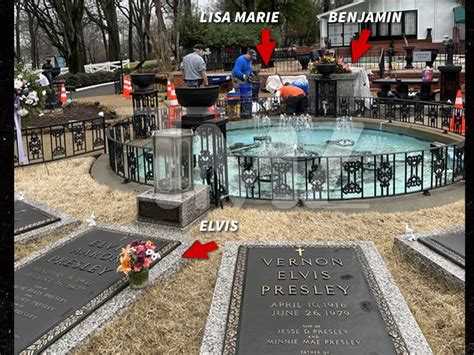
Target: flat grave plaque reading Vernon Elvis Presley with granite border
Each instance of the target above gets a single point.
(309, 299)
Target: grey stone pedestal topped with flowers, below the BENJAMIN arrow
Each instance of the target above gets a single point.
(345, 87)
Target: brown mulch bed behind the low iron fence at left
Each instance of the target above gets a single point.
(71, 112)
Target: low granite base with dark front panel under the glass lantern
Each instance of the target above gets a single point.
(177, 210)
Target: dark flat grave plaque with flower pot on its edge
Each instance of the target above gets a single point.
(59, 289)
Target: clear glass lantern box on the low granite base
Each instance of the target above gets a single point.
(173, 151)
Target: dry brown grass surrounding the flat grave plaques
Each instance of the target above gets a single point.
(170, 318)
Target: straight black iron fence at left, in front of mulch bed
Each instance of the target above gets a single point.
(54, 142)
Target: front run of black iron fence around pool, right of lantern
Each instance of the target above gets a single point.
(347, 177)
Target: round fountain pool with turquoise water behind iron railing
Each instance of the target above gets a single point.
(296, 158)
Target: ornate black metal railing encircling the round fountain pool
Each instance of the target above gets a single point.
(317, 178)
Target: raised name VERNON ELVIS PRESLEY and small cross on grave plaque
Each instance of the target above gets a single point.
(310, 288)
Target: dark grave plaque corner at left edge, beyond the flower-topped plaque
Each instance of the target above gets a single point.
(28, 217)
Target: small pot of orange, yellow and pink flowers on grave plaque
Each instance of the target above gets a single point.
(135, 261)
